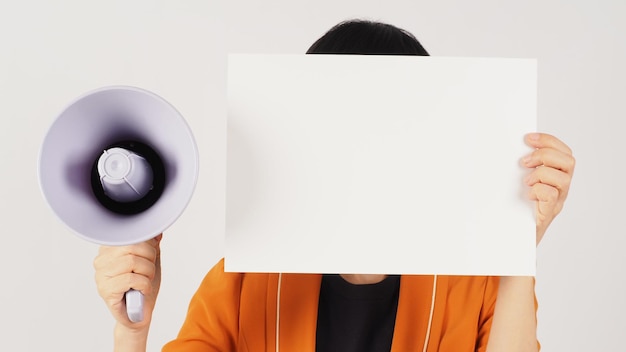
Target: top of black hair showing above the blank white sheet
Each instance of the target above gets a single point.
(367, 37)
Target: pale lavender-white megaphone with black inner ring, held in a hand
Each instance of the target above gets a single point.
(119, 166)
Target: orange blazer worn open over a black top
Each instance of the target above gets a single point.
(248, 312)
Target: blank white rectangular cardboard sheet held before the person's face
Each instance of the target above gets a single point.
(379, 164)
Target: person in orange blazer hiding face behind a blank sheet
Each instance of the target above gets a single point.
(304, 312)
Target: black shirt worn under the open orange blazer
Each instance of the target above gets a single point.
(358, 318)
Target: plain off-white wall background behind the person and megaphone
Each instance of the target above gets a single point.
(52, 52)
